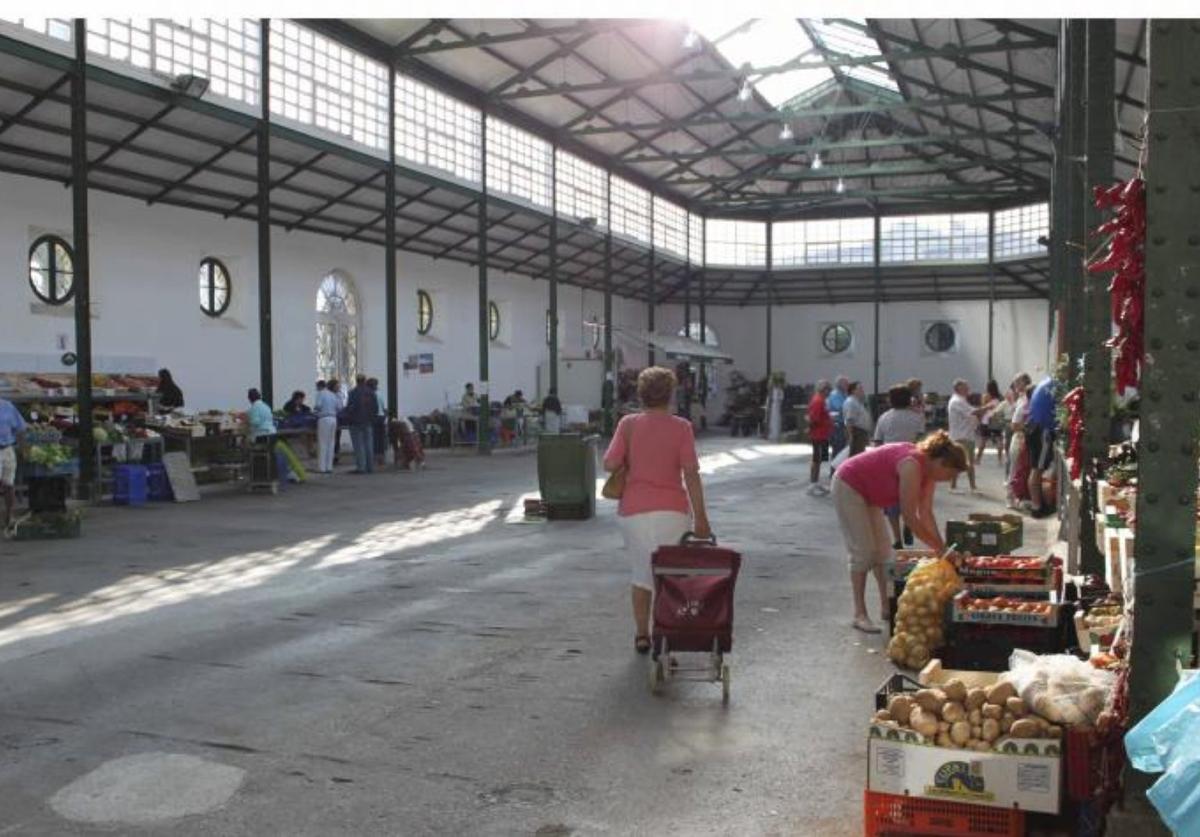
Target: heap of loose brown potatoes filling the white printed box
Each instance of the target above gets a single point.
(967, 719)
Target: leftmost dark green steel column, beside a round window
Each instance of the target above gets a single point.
(82, 279)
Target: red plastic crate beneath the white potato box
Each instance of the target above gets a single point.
(891, 815)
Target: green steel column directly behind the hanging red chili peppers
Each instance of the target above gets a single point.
(1101, 124)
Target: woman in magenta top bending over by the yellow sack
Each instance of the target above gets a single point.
(902, 475)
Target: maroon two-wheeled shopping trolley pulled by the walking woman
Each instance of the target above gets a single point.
(694, 586)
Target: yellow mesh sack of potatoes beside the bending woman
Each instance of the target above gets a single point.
(921, 612)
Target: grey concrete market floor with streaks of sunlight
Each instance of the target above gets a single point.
(394, 655)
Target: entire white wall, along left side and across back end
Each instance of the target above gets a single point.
(147, 314)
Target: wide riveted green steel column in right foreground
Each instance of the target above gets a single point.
(1171, 413)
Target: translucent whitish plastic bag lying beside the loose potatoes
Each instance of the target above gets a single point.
(1060, 688)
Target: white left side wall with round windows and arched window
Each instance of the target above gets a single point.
(145, 262)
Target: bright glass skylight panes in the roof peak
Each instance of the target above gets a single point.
(767, 43)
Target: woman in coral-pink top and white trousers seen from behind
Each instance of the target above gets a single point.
(659, 453)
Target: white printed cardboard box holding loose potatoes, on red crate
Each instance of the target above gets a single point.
(1024, 774)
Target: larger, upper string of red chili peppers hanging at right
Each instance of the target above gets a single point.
(1126, 260)
